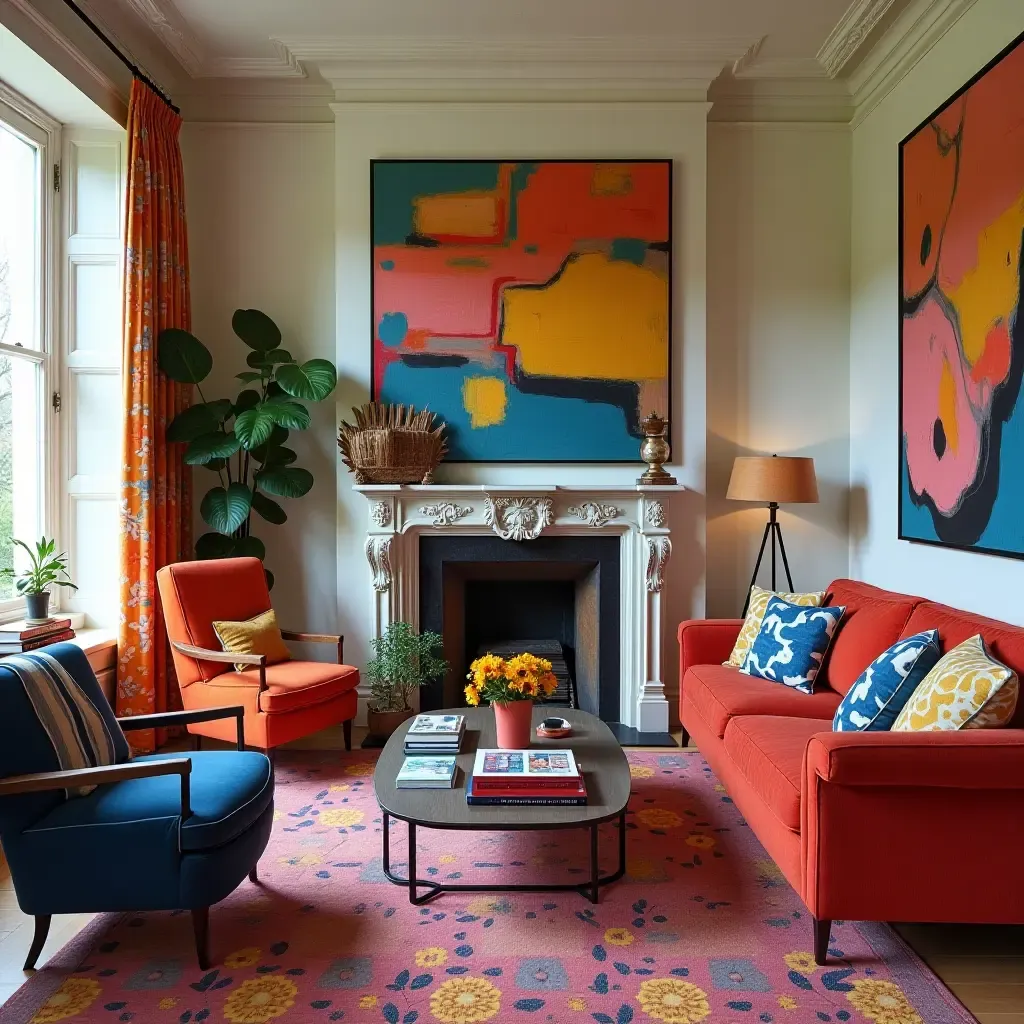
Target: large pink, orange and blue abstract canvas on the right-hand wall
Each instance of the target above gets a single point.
(962, 323)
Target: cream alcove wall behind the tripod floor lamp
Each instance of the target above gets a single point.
(779, 368)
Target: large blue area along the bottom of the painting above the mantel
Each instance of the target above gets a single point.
(565, 430)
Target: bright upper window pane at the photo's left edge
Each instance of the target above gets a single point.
(19, 241)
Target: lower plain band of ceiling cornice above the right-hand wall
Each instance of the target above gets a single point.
(914, 33)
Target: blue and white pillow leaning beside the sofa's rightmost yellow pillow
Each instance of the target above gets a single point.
(878, 697)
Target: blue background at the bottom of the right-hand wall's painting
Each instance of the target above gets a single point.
(1005, 531)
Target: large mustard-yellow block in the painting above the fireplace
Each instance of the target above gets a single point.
(603, 319)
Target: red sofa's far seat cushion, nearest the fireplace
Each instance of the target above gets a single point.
(720, 692)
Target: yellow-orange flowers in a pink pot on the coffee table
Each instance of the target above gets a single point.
(511, 686)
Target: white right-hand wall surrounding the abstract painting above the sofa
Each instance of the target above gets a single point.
(980, 583)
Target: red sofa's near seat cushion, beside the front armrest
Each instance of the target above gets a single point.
(770, 753)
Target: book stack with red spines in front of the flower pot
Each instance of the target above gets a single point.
(539, 778)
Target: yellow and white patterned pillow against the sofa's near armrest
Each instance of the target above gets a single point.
(967, 690)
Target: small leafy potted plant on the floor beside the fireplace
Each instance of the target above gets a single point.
(403, 662)
